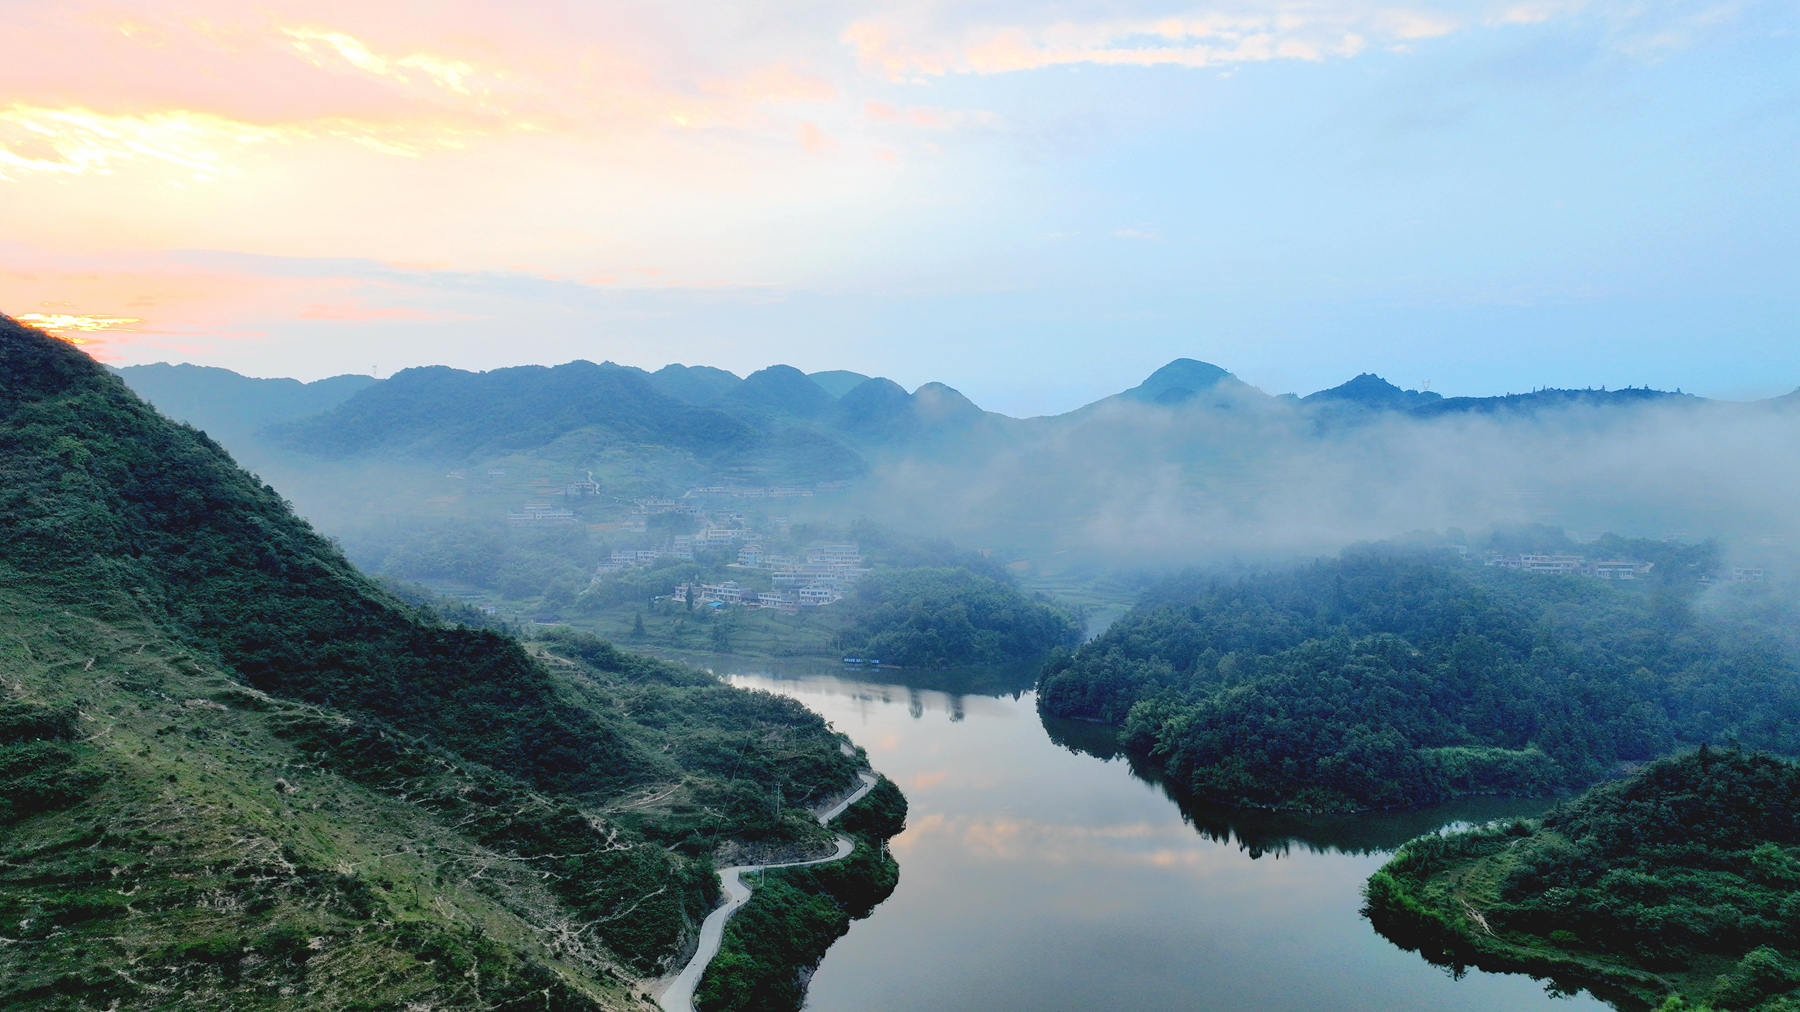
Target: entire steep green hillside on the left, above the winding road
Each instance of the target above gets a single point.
(240, 772)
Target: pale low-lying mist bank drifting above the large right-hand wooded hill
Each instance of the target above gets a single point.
(1146, 485)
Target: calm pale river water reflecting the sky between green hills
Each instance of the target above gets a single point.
(1041, 872)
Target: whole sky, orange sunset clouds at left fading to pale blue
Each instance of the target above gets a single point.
(1038, 204)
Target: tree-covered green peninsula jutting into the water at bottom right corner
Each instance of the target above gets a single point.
(1677, 889)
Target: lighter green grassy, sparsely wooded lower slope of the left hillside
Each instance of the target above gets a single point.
(188, 844)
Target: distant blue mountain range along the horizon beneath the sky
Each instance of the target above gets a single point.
(454, 415)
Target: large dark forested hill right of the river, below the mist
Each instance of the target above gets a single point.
(1399, 678)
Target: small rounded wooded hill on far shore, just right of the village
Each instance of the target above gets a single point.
(935, 619)
